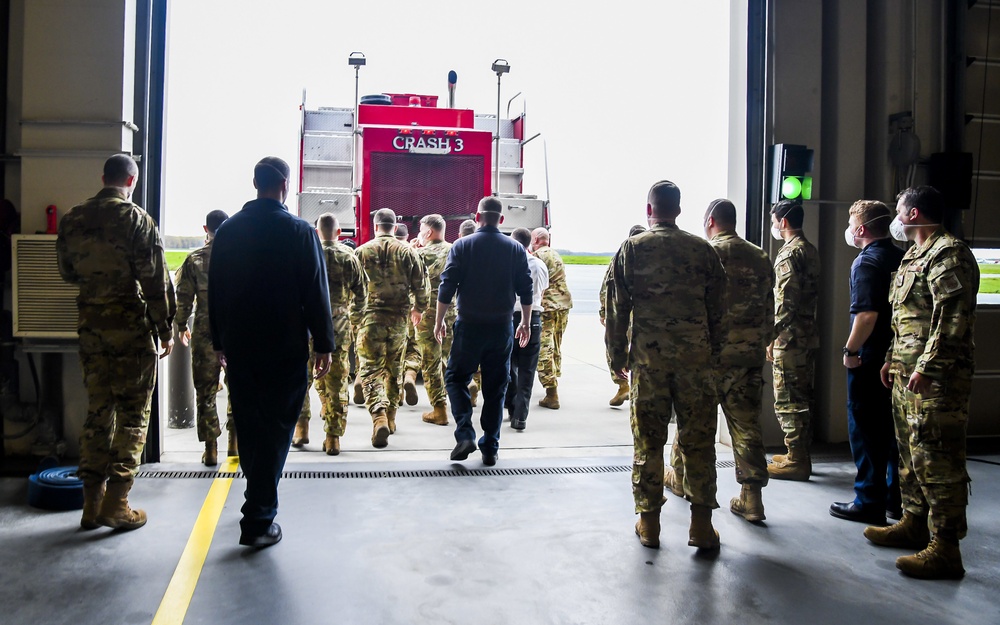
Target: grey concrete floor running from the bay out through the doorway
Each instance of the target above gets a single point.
(403, 535)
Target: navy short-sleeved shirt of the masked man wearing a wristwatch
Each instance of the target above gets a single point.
(871, 276)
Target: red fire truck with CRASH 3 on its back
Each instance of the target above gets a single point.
(408, 154)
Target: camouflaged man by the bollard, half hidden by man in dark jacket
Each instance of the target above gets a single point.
(192, 295)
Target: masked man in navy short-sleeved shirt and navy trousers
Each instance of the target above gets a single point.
(869, 403)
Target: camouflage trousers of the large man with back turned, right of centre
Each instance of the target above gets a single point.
(654, 395)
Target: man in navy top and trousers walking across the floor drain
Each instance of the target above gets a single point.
(487, 270)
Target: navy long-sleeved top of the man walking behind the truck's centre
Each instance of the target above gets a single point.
(487, 269)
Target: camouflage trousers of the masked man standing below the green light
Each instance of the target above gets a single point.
(793, 371)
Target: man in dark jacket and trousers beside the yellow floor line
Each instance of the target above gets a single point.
(267, 294)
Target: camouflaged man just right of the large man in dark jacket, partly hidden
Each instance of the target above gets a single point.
(348, 288)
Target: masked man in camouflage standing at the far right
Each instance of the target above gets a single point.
(929, 368)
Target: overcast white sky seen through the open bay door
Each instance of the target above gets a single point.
(624, 94)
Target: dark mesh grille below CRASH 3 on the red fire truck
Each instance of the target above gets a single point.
(414, 185)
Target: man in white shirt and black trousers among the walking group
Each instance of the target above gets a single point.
(524, 360)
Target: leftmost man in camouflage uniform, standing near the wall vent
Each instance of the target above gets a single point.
(111, 249)
